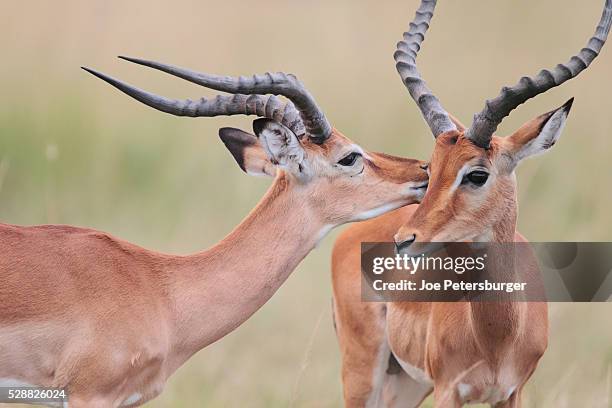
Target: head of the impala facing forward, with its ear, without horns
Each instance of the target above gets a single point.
(471, 189)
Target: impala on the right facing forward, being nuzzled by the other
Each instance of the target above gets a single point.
(395, 354)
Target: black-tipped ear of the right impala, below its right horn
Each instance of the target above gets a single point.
(538, 135)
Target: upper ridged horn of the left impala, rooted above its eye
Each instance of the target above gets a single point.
(279, 83)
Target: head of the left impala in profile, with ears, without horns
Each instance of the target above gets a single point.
(365, 184)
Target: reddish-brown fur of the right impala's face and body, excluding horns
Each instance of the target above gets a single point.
(488, 346)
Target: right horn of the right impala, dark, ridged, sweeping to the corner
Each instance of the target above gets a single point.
(485, 123)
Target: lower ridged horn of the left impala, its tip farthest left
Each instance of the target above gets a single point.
(268, 106)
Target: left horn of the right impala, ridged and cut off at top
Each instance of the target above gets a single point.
(405, 62)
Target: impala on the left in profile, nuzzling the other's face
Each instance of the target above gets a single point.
(110, 321)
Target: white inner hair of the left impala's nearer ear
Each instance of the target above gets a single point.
(281, 144)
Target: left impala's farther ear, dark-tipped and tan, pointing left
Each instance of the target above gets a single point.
(247, 152)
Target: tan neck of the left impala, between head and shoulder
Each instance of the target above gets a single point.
(218, 289)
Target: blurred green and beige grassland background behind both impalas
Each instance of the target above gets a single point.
(75, 151)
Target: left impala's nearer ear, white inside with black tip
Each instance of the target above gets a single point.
(280, 143)
